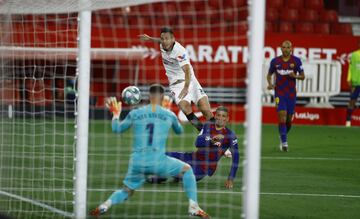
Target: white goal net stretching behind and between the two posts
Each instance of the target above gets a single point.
(38, 93)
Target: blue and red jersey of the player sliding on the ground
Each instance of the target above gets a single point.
(208, 153)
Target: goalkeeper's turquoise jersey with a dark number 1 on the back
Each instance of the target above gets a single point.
(151, 125)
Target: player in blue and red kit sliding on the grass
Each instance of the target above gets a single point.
(212, 142)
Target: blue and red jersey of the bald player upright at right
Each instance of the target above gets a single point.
(285, 85)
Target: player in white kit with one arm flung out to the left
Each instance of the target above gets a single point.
(184, 86)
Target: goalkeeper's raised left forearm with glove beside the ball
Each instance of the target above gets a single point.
(115, 108)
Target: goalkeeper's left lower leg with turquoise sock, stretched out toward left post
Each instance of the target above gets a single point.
(117, 197)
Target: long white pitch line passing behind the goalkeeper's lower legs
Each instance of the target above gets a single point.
(239, 193)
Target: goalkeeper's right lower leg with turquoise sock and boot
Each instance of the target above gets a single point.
(189, 184)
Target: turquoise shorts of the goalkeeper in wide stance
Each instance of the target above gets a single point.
(165, 166)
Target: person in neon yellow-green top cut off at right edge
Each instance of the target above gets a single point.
(354, 83)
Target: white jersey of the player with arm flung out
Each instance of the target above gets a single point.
(173, 62)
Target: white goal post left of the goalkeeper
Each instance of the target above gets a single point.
(82, 124)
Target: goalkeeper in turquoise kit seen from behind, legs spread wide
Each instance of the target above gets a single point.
(151, 124)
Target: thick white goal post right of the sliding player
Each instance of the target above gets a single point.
(252, 142)
